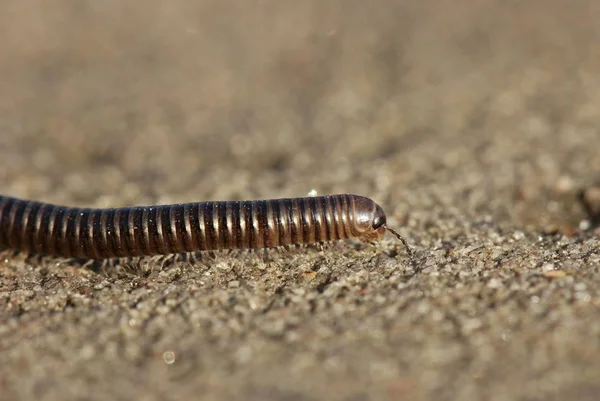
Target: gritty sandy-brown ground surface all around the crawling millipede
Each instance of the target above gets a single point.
(473, 123)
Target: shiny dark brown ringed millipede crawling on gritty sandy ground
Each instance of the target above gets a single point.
(87, 233)
